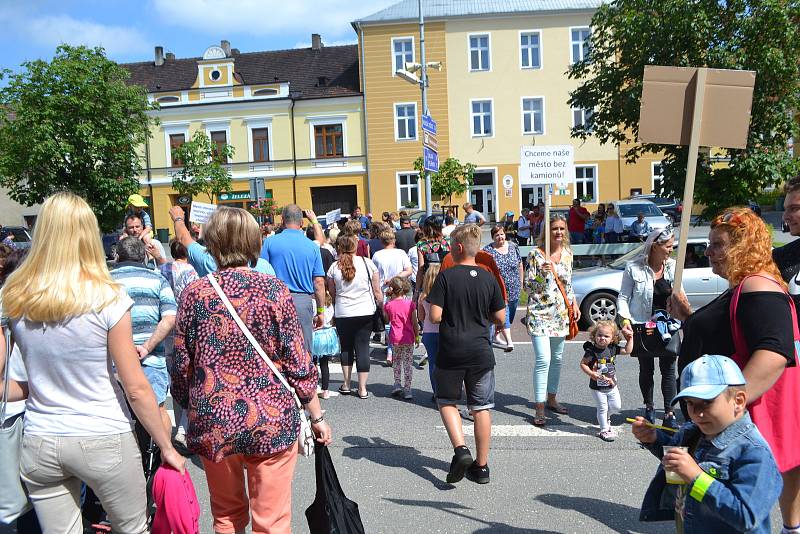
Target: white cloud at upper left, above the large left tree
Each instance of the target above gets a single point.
(51, 30)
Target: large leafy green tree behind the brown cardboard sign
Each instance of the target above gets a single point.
(758, 35)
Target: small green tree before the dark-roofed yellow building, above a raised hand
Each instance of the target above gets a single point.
(204, 168)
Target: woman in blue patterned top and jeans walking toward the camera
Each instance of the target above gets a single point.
(507, 256)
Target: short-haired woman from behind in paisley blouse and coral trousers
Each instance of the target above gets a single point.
(241, 418)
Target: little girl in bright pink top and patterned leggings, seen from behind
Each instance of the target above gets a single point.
(401, 316)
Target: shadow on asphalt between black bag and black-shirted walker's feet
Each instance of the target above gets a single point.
(376, 450)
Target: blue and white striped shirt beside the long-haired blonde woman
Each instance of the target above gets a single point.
(153, 300)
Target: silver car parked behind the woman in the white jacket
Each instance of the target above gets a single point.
(596, 288)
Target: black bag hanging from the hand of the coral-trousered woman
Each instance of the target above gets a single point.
(331, 512)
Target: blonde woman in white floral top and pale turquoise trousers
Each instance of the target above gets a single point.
(548, 317)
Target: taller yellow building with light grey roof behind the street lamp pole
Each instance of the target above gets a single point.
(503, 85)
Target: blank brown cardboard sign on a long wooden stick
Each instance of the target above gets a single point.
(698, 107)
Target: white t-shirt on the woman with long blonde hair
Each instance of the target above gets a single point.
(71, 386)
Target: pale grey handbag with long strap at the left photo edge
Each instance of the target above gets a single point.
(13, 498)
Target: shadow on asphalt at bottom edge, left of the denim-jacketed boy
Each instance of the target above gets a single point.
(615, 516)
